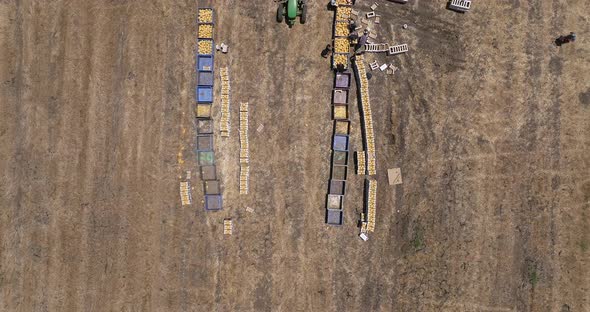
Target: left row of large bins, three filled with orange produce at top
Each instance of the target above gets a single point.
(203, 111)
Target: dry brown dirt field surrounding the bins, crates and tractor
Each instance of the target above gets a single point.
(487, 119)
